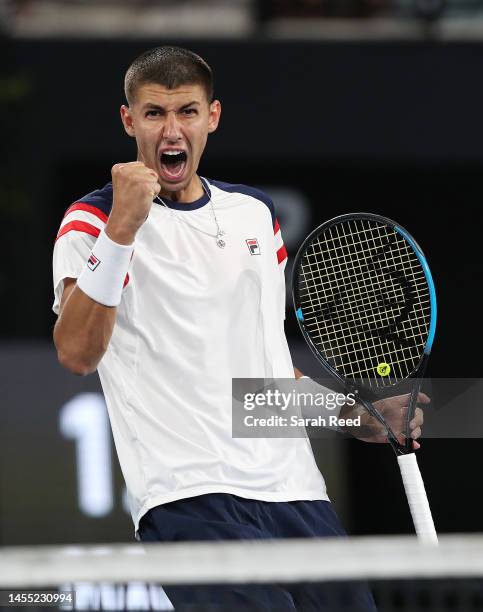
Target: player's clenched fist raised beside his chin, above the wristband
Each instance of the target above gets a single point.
(134, 187)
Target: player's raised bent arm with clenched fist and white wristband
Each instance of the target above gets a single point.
(88, 307)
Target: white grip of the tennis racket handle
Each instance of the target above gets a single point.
(417, 498)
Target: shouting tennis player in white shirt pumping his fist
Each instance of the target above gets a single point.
(170, 285)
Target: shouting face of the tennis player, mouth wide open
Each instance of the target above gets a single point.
(171, 127)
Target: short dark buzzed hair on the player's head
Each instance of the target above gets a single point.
(170, 67)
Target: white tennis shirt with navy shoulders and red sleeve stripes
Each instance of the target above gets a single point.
(192, 317)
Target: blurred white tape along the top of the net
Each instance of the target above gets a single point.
(248, 562)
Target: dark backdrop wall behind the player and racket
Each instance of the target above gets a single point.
(390, 128)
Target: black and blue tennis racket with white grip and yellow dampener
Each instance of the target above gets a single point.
(366, 304)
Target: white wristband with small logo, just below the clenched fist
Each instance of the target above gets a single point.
(103, 277)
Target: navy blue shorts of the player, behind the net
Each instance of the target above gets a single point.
(221, 516)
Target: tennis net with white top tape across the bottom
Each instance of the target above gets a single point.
(328, 574)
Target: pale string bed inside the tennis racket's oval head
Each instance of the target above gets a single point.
(365, 300)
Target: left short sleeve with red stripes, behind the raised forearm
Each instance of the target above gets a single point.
(77, 235)
